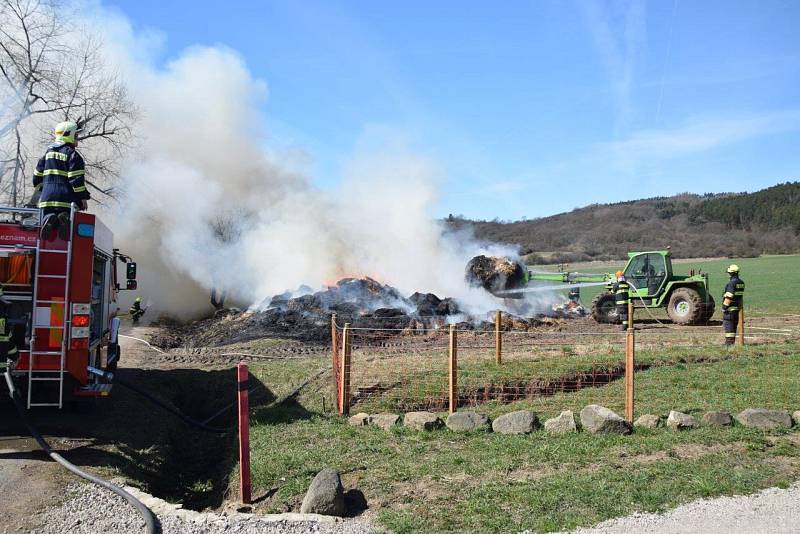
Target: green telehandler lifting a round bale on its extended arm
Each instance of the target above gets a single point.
(653, 285)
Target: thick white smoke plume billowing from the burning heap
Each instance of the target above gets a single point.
(201, 169)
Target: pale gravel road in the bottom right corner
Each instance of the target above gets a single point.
(772, 510)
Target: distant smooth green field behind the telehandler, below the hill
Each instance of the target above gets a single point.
(773, 282)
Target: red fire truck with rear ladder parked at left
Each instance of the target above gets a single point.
(60, 301)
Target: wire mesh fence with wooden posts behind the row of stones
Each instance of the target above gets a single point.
(453, 367)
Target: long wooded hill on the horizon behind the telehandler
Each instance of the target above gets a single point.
(710, 225)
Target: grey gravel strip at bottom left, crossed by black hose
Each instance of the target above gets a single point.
(90, 509)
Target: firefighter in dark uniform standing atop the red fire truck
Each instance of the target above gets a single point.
(59, 181)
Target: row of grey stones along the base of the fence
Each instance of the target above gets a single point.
(595, 419)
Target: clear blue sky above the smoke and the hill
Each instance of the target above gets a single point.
(531, 108)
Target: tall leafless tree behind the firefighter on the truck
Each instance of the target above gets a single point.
(51, 70)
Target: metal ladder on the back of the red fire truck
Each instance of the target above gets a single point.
(63, 327)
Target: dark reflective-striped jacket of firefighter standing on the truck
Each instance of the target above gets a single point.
(59, 176)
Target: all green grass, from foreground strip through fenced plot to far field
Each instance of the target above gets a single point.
(442, 481)
